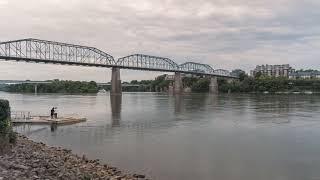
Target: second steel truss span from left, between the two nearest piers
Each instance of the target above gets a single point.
(145, 62)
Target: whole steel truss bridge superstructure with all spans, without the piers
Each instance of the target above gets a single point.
(43, 51)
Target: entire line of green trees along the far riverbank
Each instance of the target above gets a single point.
(245, 84)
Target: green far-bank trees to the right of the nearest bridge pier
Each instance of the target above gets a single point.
(245, 84)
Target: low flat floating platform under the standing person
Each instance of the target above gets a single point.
(48, 120)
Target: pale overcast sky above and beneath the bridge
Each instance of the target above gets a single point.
(226, 34)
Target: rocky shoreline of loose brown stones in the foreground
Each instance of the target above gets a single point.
(32, 160)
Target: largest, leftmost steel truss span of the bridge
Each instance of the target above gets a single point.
(35, 50)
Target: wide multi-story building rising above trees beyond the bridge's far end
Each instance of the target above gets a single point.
(273, 70)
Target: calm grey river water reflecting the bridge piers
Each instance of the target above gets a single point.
(197, 136)
